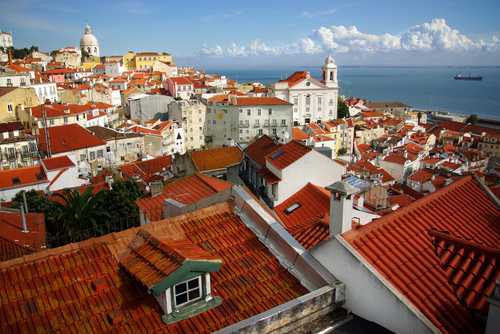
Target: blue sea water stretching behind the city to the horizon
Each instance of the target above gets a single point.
(427, 88)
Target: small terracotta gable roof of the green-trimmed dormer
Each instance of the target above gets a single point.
(150, 260)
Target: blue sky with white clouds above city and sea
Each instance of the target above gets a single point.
(269, 33)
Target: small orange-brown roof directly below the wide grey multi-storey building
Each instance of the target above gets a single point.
(216, 158)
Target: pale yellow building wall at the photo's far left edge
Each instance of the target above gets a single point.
(14, 100)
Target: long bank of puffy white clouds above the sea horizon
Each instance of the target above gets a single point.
(433, 35)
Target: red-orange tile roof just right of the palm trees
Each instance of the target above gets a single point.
(188, 190)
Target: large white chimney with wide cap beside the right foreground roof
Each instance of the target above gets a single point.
(341, 207)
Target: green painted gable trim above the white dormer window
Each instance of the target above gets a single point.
(189, 269)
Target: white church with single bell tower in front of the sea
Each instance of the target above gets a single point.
(313, 100)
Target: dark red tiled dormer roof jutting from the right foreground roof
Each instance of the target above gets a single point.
(471, 269)
